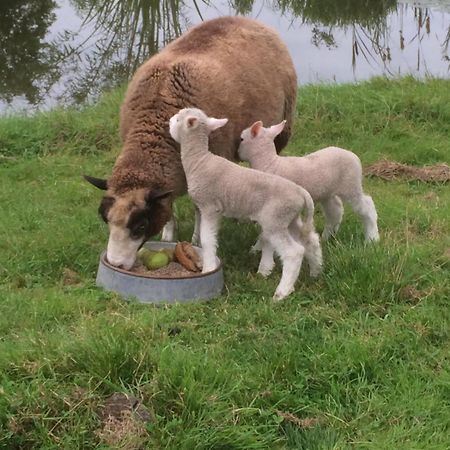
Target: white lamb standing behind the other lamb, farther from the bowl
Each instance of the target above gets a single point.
(329, 175)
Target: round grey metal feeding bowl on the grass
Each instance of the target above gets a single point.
(148, 289)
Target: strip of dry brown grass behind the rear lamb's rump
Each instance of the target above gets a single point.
(391, 170)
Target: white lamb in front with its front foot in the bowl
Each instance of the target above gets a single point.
(220, 187)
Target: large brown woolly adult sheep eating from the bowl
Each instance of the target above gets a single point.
(230, 67)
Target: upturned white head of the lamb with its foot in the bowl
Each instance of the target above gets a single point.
(191, 119)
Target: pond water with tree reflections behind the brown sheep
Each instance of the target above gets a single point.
(62, 52)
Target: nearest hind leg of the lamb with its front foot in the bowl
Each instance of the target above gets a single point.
(291, 254)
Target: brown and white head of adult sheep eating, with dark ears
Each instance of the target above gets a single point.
(132, 216)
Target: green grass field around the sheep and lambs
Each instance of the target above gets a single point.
(358, 359)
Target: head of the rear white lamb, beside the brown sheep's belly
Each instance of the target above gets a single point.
(257, 139)
